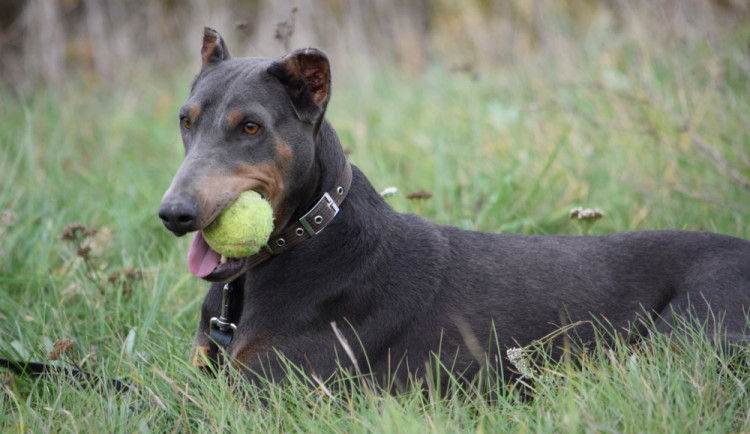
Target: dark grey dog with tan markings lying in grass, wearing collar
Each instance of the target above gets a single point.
(395, 291)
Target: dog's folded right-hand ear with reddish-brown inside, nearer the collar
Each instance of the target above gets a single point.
(306, 76)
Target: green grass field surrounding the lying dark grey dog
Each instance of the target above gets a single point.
(657, 138)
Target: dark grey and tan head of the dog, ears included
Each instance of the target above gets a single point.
(248, 124)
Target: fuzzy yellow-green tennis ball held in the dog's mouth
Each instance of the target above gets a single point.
(243, 228)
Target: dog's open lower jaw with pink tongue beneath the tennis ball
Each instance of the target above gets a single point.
(206, 263)
